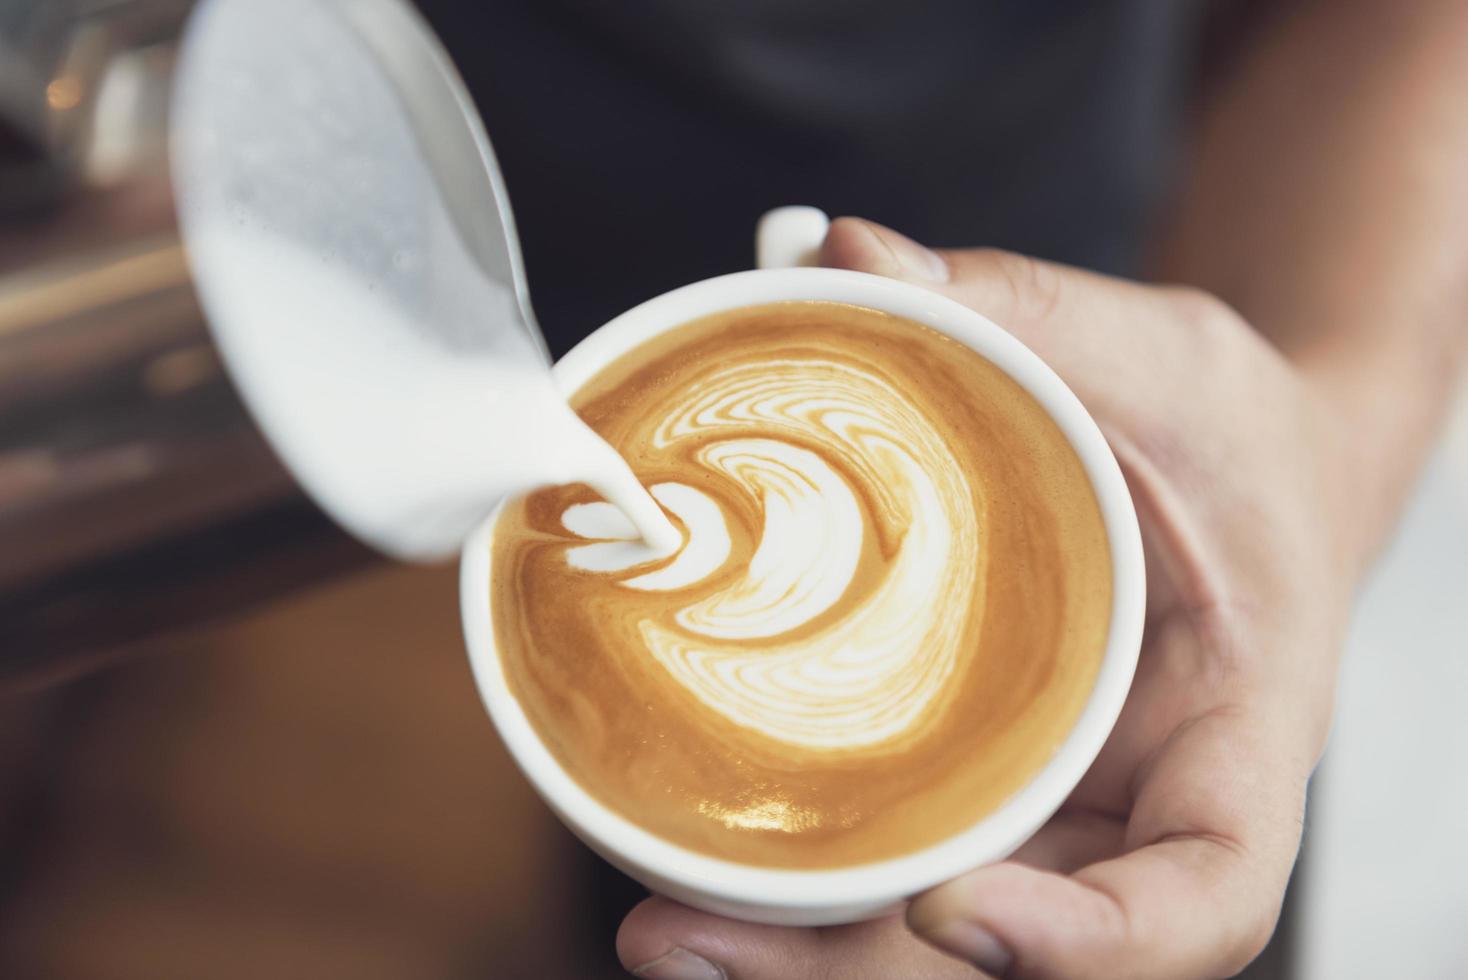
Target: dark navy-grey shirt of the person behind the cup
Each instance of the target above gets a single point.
(642, 139)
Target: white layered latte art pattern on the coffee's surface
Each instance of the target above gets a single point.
(796, 436)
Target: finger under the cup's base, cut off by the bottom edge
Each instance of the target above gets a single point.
(666, 941)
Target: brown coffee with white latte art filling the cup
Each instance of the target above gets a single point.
(889, 611)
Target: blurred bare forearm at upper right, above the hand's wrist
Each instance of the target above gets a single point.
(1328, 202)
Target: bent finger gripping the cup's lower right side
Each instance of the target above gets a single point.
(1216, 827)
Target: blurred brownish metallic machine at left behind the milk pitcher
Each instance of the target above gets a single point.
(136, 494)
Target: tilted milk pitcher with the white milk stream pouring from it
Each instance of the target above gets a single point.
(357, 260)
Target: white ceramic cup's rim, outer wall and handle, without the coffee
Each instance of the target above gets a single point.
(849, 894)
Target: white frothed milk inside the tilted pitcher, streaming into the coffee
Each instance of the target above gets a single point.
(333, 362)
